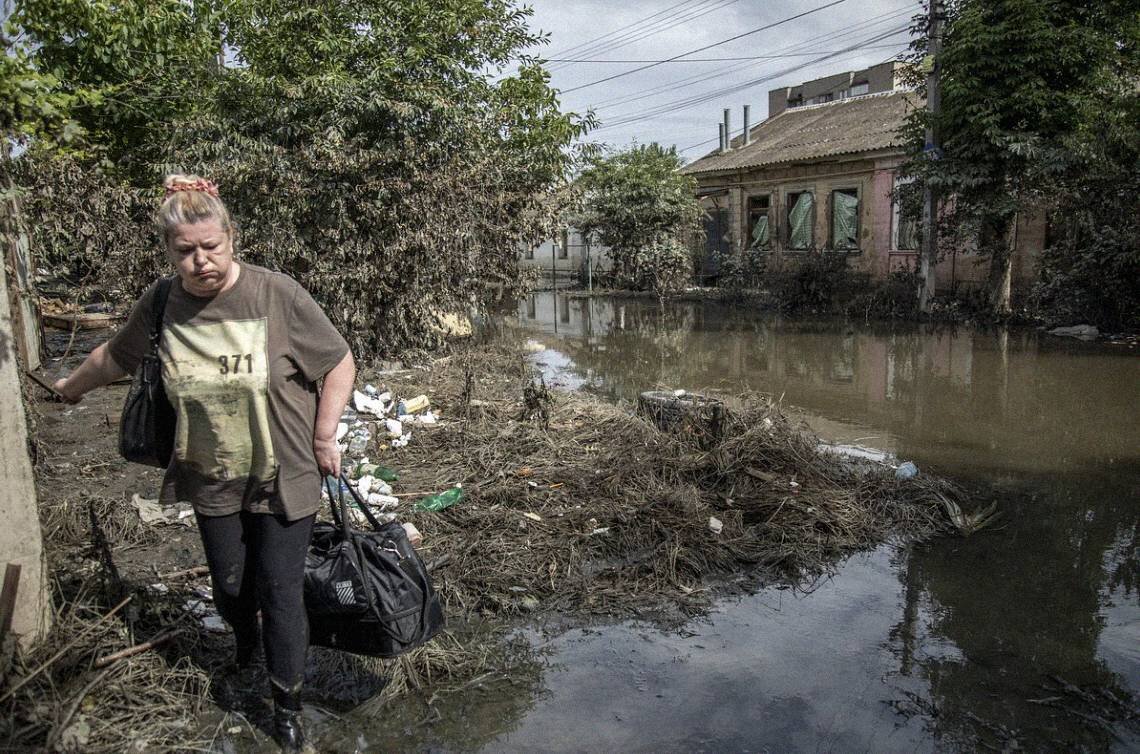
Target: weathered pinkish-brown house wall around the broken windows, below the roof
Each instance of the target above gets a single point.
(874, 180)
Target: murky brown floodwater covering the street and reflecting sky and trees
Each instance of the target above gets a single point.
(1023, 637)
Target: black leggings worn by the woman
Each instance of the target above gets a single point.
(257, 561)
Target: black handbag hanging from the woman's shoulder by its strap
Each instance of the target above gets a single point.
(146, 431)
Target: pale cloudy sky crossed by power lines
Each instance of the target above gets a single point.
(662, 98)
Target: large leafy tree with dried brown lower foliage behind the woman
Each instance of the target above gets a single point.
(363, 148)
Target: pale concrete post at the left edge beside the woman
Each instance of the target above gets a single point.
(21, 540)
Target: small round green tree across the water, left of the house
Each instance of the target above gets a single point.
(640, 205)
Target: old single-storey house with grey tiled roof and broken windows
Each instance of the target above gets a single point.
(818, 176)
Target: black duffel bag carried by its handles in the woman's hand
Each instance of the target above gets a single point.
(367, 593)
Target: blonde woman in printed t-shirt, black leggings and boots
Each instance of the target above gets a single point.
(242, 352)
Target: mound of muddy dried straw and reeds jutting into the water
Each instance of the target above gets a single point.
(577, 506)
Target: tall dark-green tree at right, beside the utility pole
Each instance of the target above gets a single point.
(1019, 78)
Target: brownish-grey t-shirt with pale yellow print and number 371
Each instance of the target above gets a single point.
(241, 370)
